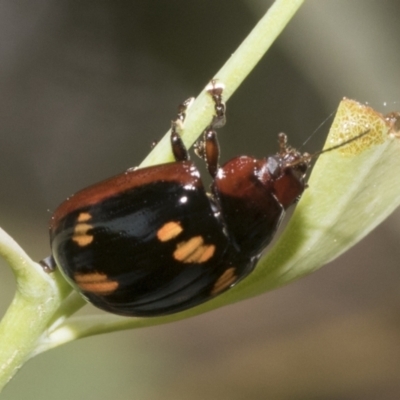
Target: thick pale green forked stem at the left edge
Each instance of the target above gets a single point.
(37, 296)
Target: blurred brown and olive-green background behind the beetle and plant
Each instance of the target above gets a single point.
(85, 87)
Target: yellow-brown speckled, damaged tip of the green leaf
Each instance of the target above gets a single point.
(352, 119)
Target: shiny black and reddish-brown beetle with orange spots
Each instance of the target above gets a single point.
(152, 241)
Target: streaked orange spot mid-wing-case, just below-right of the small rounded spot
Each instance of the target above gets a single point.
(194, 251)
